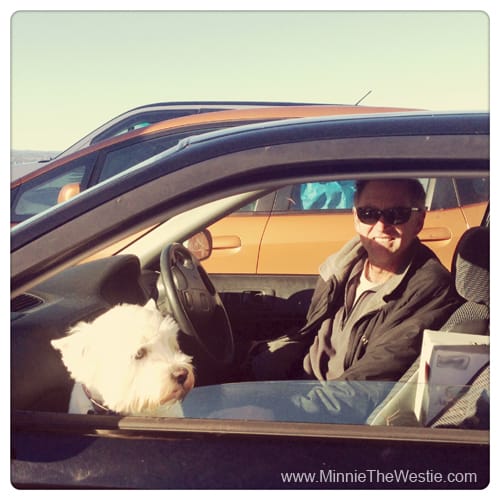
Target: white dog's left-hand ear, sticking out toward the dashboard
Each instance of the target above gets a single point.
(73, 349)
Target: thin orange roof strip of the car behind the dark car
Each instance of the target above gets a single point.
(224, 118)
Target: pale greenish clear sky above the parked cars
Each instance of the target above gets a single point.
(73, 70)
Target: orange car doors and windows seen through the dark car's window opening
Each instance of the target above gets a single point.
(317, 218)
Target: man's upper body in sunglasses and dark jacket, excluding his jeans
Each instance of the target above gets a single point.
(374, 297)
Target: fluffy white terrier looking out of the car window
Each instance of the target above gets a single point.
(127, 361)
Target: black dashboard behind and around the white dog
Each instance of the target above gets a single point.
(81, 293)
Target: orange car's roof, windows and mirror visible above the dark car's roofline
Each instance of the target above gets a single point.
(65, 177)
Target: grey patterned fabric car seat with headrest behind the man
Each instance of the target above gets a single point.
(470, 269)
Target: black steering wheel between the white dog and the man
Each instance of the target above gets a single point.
(195, 303)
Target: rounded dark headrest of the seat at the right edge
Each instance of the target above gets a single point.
(471, 265)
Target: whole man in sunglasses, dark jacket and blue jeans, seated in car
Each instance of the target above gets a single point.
(364, 327)
